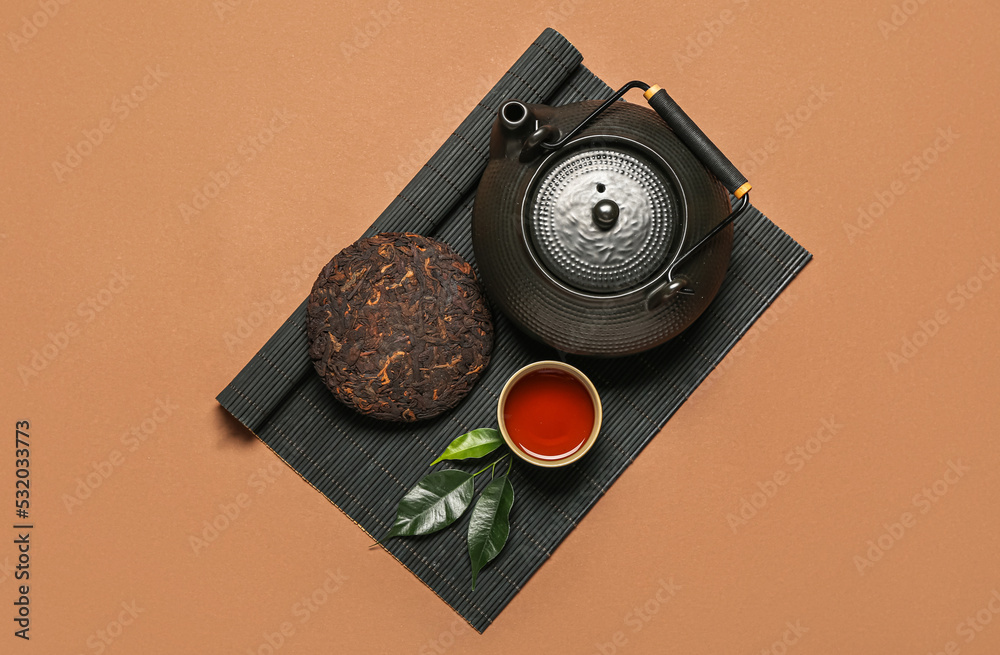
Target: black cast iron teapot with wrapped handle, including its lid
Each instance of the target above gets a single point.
(604, 228)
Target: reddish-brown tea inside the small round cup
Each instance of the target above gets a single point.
(549, 414)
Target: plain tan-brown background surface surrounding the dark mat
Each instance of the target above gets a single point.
(203, 294)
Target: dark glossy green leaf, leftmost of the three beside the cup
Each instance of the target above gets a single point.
(434, 503)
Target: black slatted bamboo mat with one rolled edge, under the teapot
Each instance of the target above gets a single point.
(364, 466)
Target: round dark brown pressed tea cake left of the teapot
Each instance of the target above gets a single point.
(398, 327)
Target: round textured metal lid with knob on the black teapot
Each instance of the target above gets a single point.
(602, 219)
